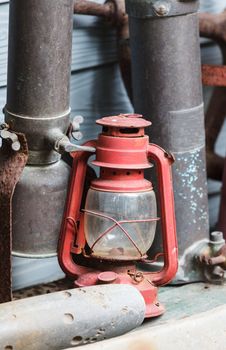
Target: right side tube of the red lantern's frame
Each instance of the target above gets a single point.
(163, 162)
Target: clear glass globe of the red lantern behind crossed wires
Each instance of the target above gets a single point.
(131, 210)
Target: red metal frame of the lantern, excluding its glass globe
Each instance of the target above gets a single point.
(122, 149)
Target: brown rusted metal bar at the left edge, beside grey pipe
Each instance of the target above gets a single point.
(11, 166)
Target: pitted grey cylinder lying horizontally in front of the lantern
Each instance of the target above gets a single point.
(74, 317)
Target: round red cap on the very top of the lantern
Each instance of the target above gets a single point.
(124, 121)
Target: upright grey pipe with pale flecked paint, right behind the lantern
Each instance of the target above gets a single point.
(166, 75)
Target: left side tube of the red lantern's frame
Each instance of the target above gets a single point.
(72, 212)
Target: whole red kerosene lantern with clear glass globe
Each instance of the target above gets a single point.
(105, 241)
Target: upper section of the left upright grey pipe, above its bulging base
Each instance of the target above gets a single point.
(39, 57)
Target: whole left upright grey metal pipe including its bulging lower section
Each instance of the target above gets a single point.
(40, 41)
